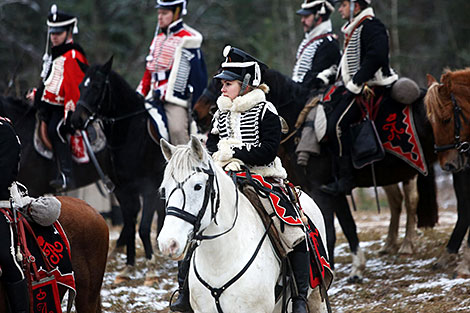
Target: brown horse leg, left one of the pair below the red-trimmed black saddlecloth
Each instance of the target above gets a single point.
(395, 198)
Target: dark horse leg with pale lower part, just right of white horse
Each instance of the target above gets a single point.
(346, 221)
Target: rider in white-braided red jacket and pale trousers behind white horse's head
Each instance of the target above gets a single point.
(175, 69)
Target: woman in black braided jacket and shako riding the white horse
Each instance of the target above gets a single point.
(246, 129)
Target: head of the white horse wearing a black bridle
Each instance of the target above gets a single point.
(189, 189)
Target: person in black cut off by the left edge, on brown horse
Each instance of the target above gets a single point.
(11, 269)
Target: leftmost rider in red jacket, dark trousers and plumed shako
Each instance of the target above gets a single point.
(59, 93)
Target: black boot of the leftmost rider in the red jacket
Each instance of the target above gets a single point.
(63, 155)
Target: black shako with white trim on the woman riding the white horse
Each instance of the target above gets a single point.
(241, 66)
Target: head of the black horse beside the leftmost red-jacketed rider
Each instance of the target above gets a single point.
(93, 90)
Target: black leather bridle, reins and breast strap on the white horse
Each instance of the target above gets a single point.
(197, 235)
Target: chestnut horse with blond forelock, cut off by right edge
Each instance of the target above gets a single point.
(448, 109)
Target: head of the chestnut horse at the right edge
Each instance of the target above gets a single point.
(448, 110)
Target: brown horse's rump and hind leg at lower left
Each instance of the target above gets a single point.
(88, 235)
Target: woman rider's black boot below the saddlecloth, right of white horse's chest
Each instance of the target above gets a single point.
(300, 266)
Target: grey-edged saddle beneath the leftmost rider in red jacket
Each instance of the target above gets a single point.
(43, 144)
